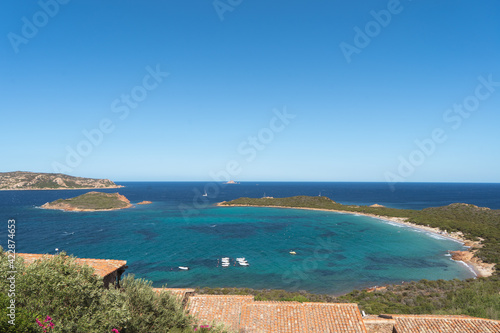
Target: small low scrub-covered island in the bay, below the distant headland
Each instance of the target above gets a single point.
(90, 202)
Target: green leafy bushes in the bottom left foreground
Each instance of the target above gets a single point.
(75, 299)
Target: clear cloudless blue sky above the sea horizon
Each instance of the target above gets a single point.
(360, 100)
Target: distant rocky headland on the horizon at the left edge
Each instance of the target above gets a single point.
(21, 180)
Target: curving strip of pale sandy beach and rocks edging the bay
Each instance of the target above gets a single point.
(468, 258)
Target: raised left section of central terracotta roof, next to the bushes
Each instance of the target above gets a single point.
(221, 308)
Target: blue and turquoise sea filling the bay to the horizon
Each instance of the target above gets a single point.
(335, 252)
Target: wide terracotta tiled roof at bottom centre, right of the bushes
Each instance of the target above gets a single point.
(244, 314)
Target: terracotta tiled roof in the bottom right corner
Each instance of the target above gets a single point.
(444, 324)
